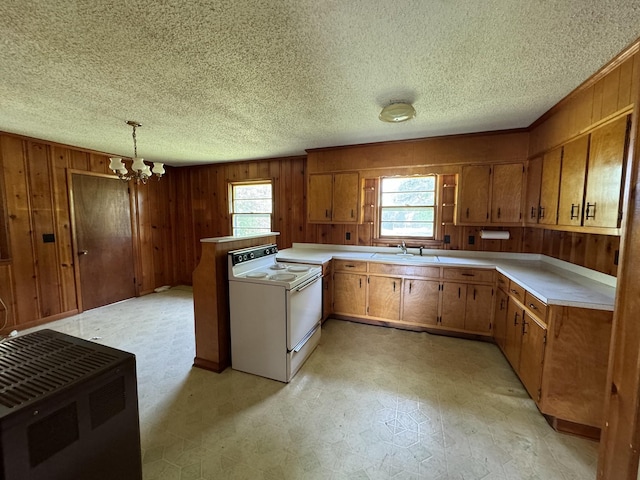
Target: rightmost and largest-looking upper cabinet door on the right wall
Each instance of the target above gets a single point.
(604, 176)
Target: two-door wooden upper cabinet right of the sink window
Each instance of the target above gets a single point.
(491, 194)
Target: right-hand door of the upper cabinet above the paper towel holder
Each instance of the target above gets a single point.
(506, 193)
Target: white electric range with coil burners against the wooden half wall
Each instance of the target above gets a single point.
(276, 312)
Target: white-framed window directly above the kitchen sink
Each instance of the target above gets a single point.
(408, 206)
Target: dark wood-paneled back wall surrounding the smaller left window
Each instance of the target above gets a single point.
(203, 204)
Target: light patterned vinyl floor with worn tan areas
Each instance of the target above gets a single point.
(370, 403)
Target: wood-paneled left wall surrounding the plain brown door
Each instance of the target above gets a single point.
(37, 280)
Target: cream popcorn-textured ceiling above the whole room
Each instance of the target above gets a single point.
(243, 79)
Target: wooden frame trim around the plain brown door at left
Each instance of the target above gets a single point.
(135, 233)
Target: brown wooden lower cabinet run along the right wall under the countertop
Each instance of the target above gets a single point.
(560, 354)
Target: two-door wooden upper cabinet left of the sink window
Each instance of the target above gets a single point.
(333, 197)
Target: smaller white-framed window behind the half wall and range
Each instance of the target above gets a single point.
(251, 206)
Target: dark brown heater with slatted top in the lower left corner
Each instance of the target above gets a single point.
(68, 410)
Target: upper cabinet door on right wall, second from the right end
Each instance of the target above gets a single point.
(574, 165)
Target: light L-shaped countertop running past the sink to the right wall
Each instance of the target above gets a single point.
(553, 281)
